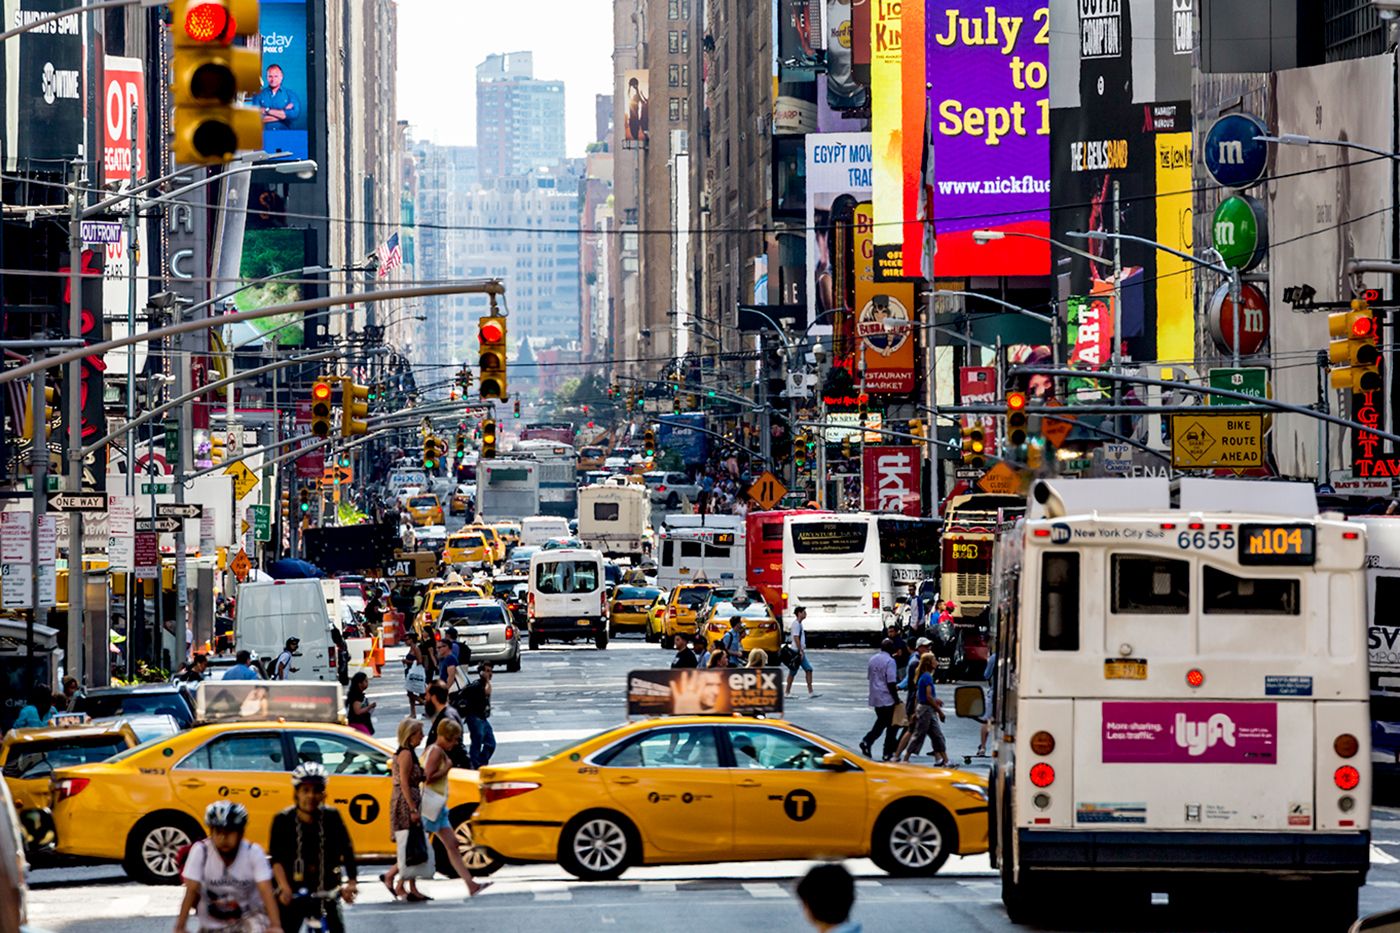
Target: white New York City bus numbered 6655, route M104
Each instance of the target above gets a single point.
(1179, 700)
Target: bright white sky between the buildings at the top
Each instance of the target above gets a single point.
(443, 41)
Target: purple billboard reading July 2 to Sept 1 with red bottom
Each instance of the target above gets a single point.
(988, 69)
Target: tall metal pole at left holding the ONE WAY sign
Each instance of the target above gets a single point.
(73, 420)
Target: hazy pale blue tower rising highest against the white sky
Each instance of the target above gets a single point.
(520, 120)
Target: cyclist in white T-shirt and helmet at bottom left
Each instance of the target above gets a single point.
(227, 879)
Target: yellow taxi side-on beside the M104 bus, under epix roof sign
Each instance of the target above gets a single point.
(695, 789)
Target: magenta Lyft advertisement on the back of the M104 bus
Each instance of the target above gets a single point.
(1186, 733)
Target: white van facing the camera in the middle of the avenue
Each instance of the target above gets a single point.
(568, 597)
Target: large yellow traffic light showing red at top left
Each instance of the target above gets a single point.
(208, 74)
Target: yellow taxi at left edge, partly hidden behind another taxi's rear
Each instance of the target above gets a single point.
(29, 757)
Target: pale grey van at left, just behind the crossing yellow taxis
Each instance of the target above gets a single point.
(274, 611)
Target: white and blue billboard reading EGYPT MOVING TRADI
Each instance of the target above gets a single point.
(838, 170)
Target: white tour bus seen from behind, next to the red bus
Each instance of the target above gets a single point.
(832, 567)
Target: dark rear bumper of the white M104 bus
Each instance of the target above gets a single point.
(1282, 854)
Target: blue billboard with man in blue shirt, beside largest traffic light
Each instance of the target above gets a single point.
(286, 86)
